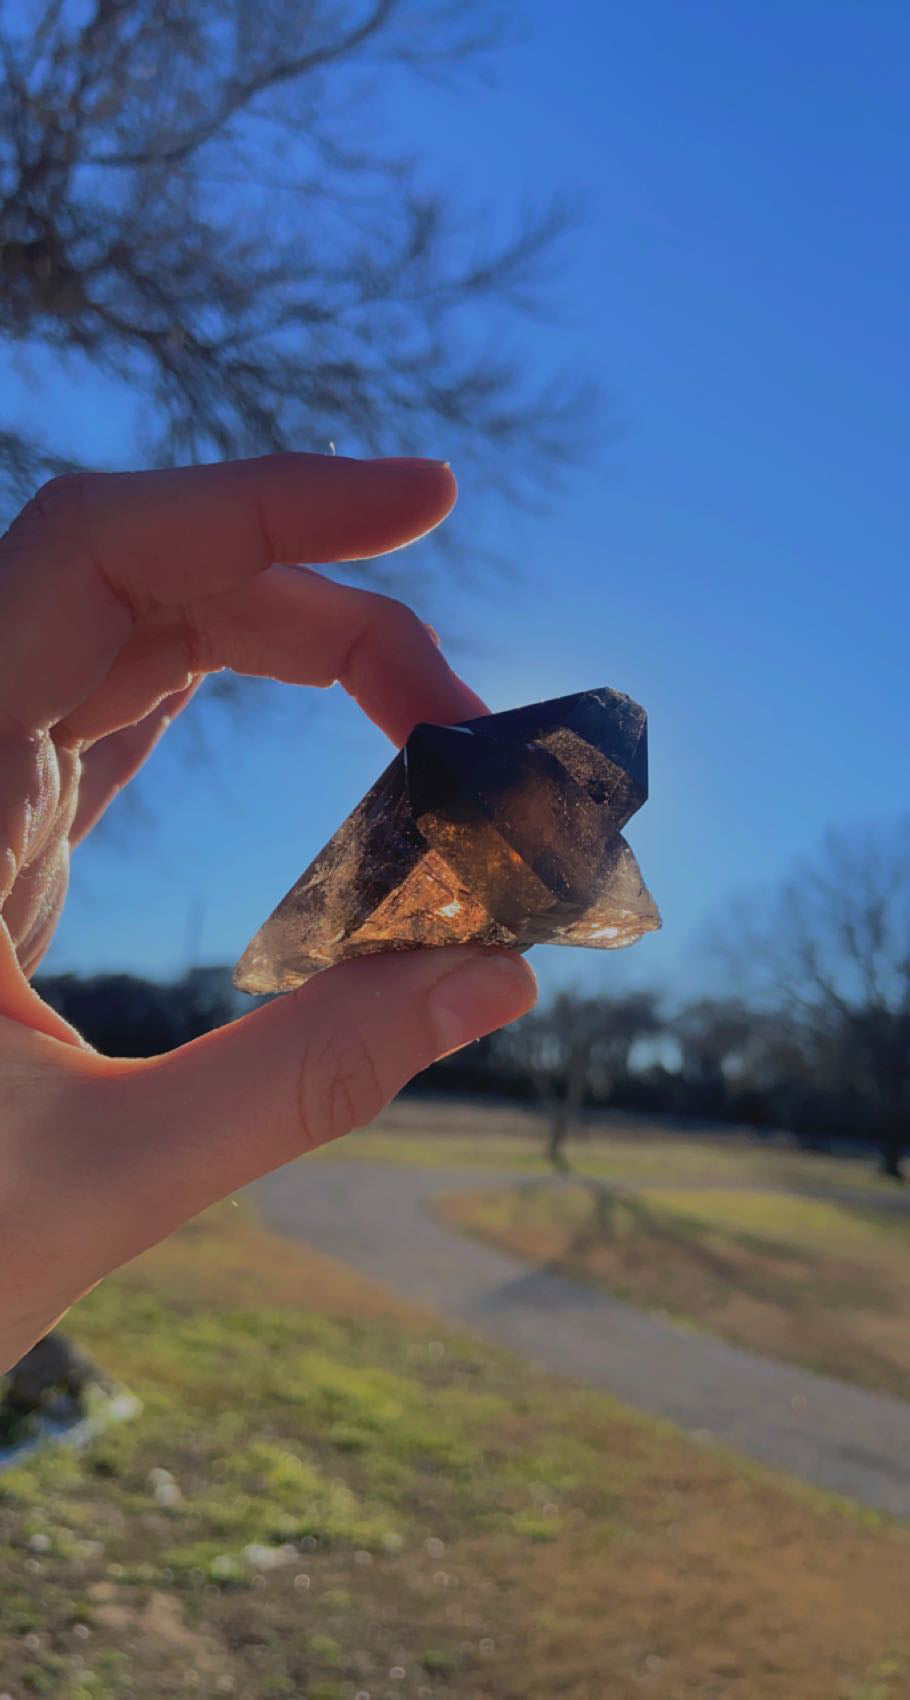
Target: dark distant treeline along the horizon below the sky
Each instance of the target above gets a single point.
(707, 1062)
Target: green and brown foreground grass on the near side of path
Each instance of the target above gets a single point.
(327, 1495)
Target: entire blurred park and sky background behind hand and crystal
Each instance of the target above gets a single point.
(640, 273)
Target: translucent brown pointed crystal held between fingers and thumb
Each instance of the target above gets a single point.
(504, 830)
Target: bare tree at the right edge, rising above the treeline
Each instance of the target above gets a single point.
(829, 955)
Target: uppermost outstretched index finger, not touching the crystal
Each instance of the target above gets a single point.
(93, 553)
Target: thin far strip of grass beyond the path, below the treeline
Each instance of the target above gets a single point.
(423, 1133)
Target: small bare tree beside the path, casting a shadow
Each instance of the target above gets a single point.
(576, 1046)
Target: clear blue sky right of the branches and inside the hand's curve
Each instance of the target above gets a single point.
(734, 555)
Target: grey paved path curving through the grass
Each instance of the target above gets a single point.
(377, 1218)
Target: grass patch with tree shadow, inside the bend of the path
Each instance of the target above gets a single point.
(817, 1283)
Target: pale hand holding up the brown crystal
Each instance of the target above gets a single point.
(118, 594)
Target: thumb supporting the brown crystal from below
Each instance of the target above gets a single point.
(203, 1121)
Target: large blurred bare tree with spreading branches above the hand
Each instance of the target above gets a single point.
(196, 201)
